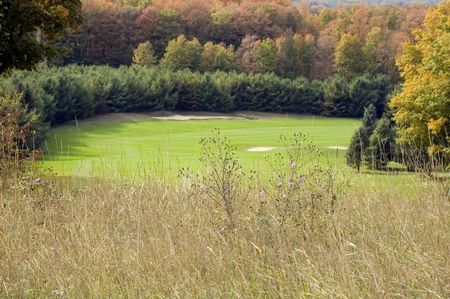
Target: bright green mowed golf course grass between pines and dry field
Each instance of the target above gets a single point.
(132, 144)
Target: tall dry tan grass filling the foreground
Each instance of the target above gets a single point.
(154, 239)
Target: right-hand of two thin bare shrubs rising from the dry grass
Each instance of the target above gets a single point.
(300, 191)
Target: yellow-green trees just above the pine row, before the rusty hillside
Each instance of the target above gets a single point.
(288, 56)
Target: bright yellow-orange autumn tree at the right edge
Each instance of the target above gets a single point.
(422, 109)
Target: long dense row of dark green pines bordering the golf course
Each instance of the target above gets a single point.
(61, 94)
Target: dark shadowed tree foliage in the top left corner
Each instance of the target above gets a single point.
(29, 29)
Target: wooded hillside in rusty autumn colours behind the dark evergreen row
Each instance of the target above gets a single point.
(259, 36)
